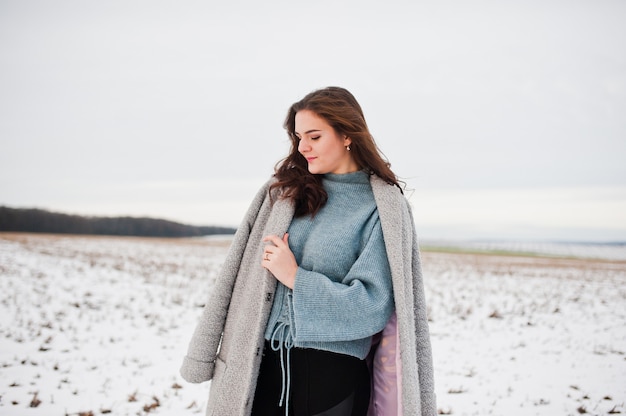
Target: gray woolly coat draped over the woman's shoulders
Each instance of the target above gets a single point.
(227, 344)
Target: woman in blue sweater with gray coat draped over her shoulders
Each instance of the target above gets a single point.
(319, 308)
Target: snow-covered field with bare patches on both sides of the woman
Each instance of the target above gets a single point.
(99, 325)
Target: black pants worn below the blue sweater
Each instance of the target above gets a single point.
(322, 384)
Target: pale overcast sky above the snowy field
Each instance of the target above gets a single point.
(506, 119)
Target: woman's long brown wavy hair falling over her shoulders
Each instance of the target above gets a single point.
(338, 107)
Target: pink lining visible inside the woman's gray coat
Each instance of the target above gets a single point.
(385, 367)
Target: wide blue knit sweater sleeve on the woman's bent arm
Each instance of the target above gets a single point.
(355, 308)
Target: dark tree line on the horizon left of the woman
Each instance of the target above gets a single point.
(37, 220)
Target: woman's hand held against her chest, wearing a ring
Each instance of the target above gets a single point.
(279, 259)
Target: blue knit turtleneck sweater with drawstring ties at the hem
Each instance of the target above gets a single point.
(343, 293)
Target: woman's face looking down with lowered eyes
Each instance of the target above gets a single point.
(323, 148)
